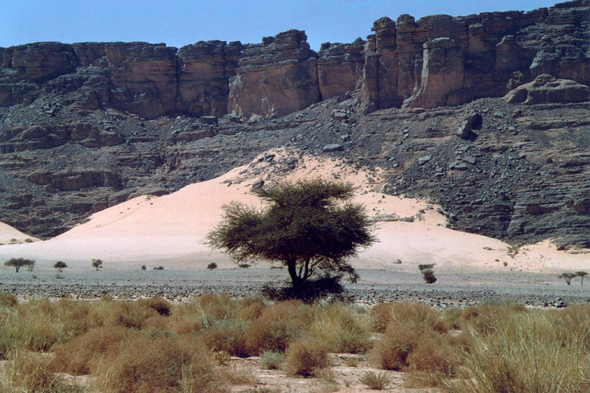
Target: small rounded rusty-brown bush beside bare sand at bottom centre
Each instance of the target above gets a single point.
(306, 356)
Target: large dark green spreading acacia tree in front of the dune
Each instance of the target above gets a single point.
(311, 227)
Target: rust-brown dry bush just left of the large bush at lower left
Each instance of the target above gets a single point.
(82, 356)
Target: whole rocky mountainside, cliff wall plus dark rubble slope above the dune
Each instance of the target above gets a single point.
(486, 115)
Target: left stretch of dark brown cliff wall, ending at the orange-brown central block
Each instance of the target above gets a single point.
(149, 80)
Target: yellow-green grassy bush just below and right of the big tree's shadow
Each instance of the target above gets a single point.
(343, 328)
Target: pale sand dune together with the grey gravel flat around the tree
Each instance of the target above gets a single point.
(170, 231)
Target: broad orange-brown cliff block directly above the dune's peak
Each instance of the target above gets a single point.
(275, 78)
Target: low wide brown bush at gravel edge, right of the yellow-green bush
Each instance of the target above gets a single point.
(382, 315)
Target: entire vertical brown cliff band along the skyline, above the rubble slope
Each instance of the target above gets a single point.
(436, 61)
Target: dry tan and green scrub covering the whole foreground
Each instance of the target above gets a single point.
(153, 345)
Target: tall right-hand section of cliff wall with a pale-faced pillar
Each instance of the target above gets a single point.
(440, 60)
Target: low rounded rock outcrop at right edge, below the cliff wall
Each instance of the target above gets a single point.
(547, 89)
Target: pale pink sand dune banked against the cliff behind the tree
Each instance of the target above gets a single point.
(170, 230)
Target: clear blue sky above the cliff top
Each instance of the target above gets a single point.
(182, 22)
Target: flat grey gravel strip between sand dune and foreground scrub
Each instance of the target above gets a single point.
(533, 289)
